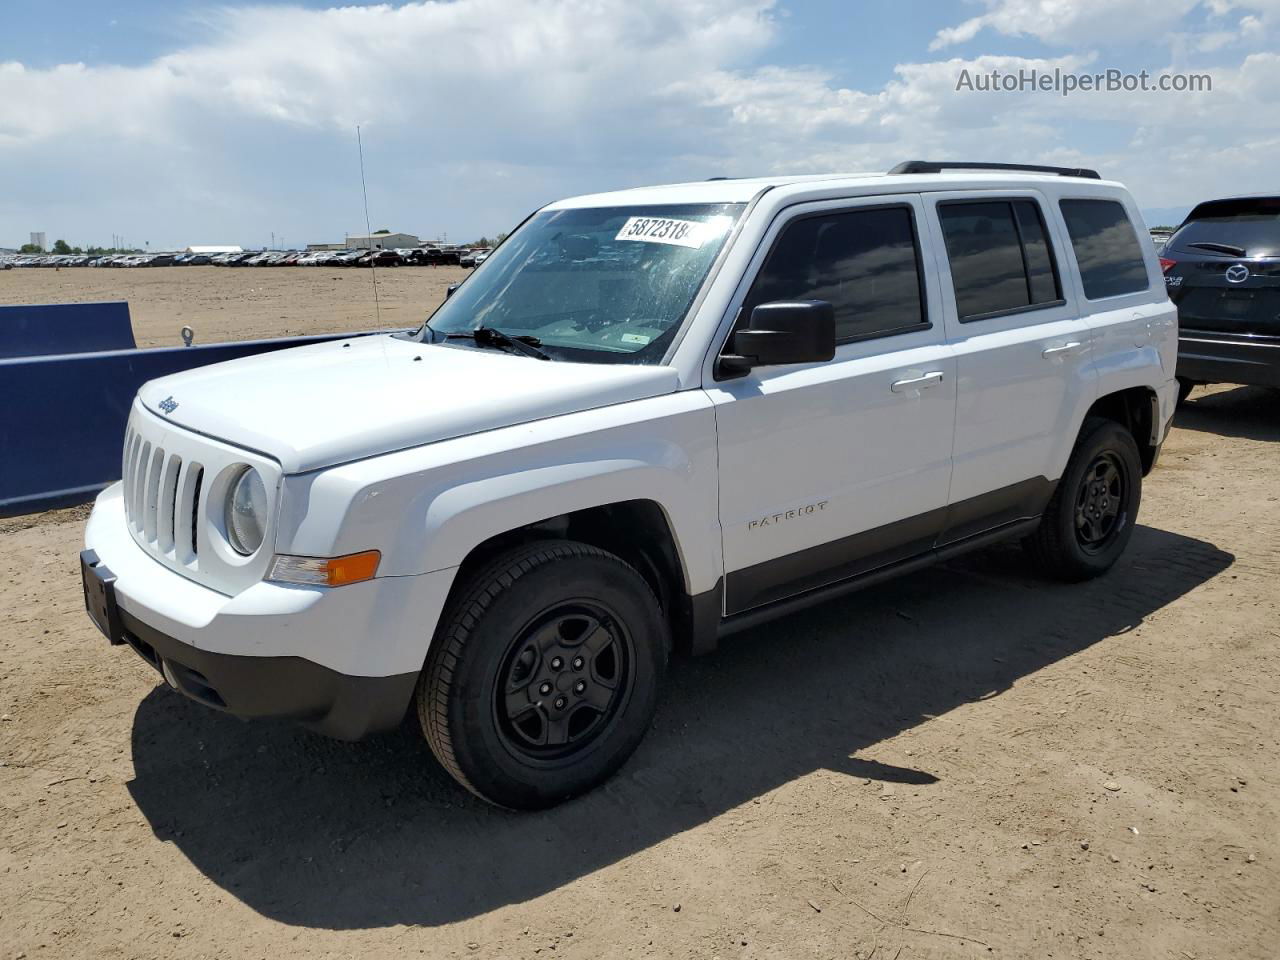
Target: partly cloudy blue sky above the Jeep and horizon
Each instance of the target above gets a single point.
(176, 124)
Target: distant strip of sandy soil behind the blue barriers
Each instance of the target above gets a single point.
(226, 304)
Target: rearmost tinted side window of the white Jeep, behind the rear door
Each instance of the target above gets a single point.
(1107, 248)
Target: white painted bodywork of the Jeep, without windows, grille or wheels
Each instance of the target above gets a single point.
(424, 459)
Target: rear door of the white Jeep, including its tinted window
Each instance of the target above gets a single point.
(1023, 355)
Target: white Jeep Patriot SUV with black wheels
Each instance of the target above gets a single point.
(650, 419)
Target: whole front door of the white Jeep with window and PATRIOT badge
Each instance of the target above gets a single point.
(830, 470)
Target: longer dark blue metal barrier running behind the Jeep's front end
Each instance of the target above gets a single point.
(62, 418)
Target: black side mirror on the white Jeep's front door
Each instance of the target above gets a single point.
(784, 332)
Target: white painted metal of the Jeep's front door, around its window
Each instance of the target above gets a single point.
(834, 436)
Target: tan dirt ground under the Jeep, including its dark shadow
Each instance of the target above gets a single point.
(968, 762)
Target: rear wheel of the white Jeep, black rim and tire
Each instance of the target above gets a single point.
(1092, 514)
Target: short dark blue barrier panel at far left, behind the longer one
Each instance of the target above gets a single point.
(40, 330)
